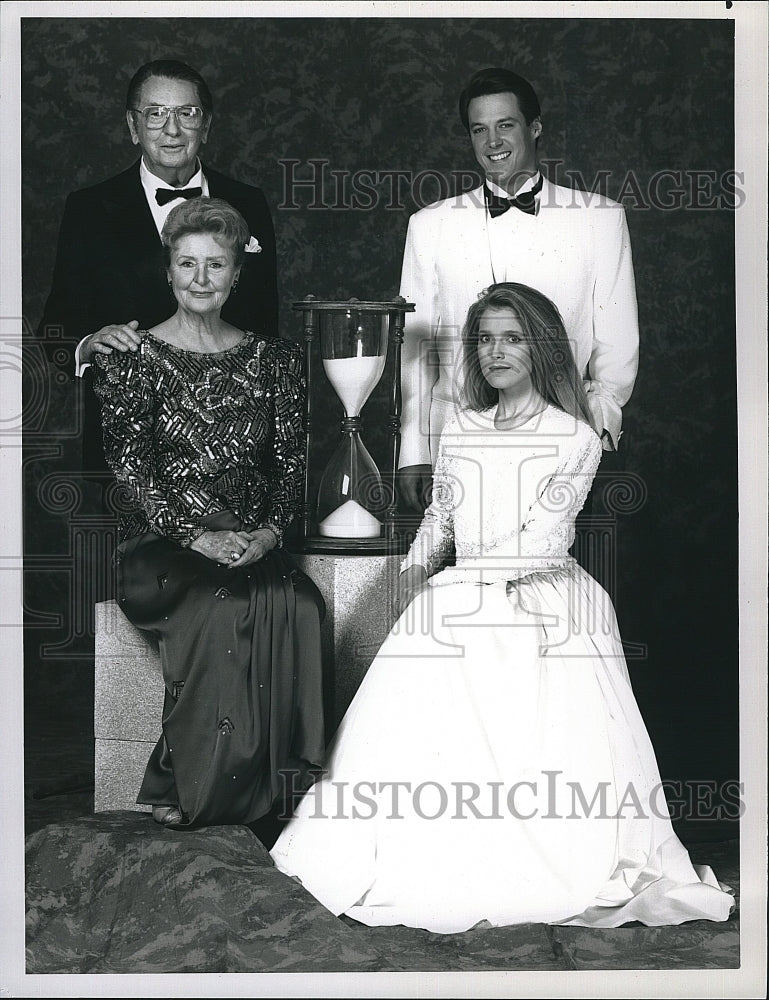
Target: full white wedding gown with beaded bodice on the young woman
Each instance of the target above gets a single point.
(493, 764)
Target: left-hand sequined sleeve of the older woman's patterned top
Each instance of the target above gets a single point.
(127, 398)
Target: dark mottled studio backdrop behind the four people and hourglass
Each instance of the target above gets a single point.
(633, 99)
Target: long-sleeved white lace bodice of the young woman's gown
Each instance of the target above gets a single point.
(505, 501)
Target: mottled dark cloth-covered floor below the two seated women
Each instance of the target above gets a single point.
(114, 892)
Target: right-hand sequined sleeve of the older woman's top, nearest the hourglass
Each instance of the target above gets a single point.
(284, 469)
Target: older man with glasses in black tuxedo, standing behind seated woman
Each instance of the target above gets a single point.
(109, 282)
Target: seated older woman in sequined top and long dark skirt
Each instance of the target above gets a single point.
(203, 429)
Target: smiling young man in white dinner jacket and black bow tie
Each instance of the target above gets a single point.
(518, 226)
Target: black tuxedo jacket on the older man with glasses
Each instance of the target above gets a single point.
(109, 269)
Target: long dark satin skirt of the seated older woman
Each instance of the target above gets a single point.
(240, 653)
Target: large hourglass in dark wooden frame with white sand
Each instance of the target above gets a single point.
(355, 510)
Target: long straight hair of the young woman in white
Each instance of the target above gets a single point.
(554, 374)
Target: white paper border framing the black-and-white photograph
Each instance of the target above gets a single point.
(750, 20)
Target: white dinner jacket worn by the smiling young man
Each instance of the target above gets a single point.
(576, 251)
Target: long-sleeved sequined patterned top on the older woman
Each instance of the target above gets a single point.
(190, 434)
